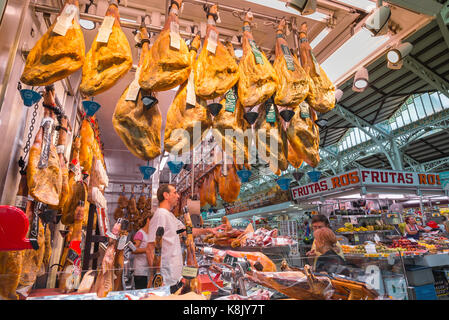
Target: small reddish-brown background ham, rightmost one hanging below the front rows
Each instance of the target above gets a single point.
(228, 183)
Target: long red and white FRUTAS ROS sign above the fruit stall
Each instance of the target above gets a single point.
(364, 177)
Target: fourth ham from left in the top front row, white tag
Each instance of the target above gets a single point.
(216, 71)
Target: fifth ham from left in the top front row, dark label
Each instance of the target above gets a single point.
(258, 79)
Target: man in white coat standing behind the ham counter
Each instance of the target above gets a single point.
(171, 255)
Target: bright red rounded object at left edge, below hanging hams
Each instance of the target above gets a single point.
(13, 229)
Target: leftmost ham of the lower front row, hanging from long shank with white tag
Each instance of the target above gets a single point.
(138, 124)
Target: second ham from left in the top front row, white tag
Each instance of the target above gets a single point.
(110, 56)
